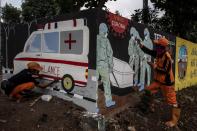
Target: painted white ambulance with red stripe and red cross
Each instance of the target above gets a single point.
(61, 48)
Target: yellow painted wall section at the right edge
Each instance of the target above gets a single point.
(186, 64)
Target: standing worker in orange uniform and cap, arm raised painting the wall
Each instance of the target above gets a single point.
(163, 79)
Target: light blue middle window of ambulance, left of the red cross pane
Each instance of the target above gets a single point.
(51, 42)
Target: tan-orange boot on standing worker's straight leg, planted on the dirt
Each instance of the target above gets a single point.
(175, 117)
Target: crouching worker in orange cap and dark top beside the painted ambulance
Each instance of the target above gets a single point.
(23, 81)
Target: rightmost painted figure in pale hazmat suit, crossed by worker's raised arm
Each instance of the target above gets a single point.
(144, 59)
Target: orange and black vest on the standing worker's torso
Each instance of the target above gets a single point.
(163, 72)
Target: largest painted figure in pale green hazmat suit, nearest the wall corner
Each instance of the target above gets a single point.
(105, 62)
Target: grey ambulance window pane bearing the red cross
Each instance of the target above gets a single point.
(71, 42)
